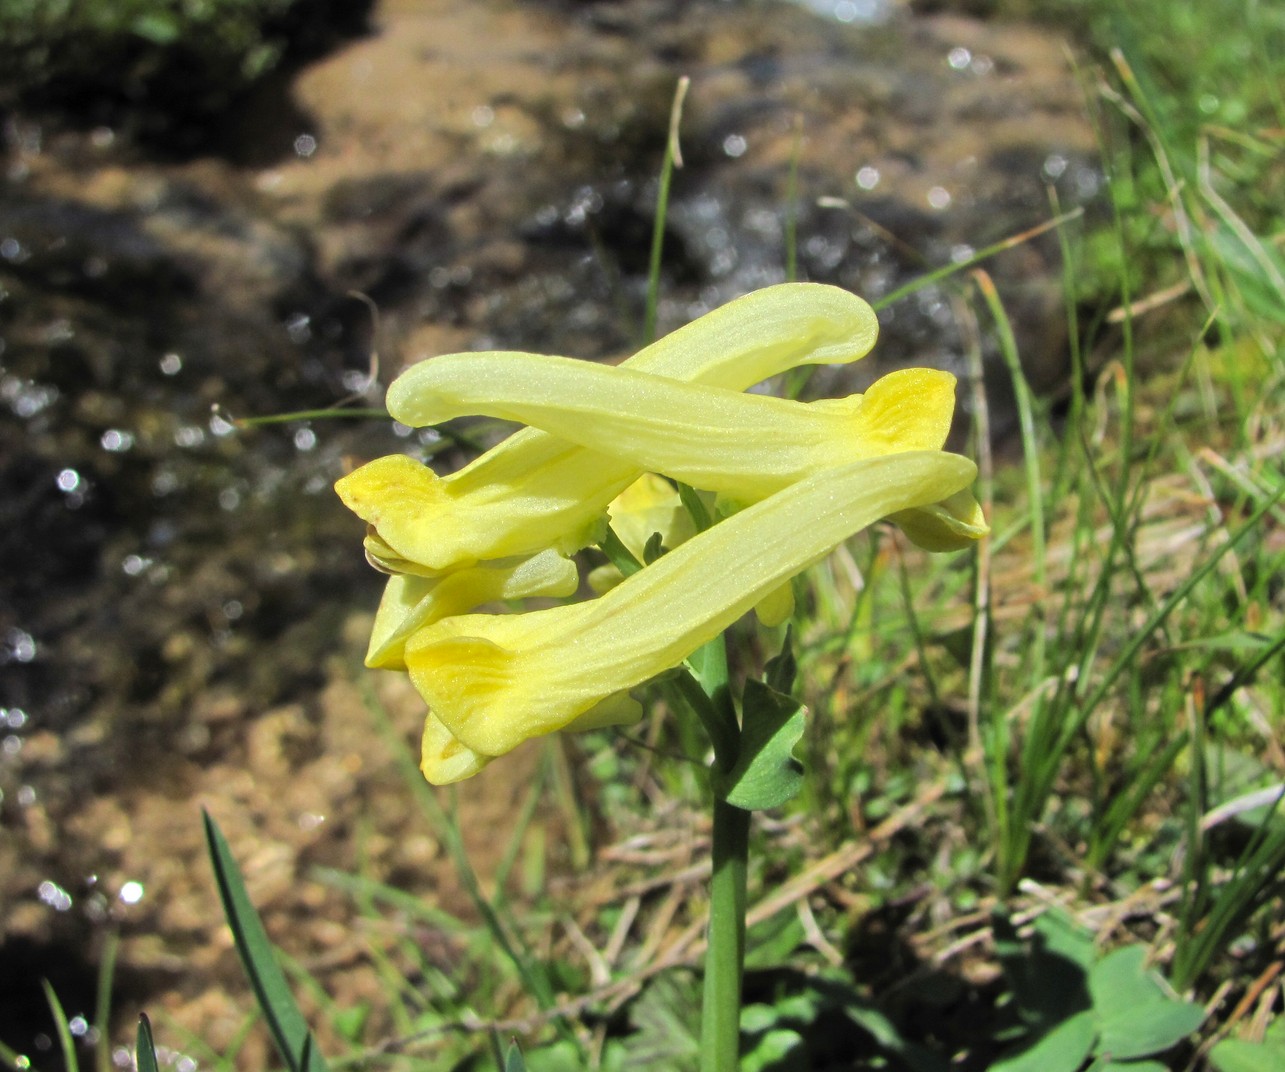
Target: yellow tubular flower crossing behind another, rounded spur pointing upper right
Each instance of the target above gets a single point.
(536, 492)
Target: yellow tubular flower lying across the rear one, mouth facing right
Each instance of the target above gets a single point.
(742, 447)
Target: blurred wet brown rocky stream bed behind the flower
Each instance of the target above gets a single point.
(190, 196)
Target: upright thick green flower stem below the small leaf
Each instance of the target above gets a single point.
(725, 957)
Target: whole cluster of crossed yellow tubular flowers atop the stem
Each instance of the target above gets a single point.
(790, 481)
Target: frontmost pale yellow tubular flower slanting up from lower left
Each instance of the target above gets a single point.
(494, 682)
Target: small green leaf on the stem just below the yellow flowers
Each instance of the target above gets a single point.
(767, 773)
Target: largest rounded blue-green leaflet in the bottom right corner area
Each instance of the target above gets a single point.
(1138, 1015)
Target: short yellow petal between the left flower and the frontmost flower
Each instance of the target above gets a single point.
(411, 603)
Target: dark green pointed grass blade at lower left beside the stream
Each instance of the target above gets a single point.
(285, 1020)
